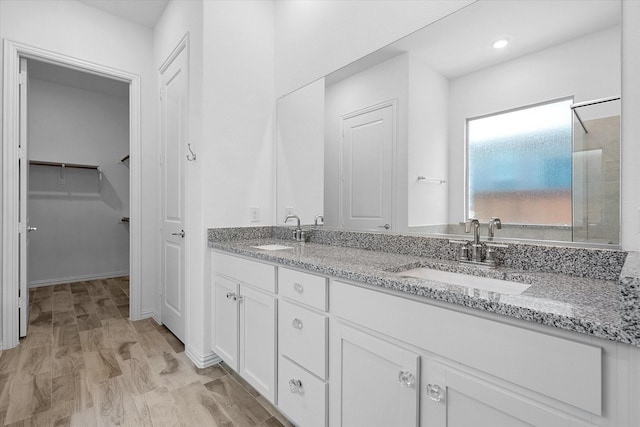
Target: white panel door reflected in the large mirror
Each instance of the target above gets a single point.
(367, 169)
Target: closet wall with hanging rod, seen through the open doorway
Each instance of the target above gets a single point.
(80, 235)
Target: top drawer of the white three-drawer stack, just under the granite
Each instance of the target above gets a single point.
(305, 288)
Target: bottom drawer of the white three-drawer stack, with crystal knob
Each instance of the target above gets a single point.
(306, 406)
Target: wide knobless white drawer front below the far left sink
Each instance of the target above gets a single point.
(254, 273)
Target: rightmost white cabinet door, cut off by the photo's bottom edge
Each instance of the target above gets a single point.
(453, 398)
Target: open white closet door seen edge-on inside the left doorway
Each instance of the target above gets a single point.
(23, 195)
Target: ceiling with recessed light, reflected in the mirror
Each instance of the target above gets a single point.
(462, 42)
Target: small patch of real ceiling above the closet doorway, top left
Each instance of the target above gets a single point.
(143, 12)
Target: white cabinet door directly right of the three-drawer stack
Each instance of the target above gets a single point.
(376, 382)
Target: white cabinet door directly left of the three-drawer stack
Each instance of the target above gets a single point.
(258, 340)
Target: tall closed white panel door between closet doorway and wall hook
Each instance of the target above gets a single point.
(173, 123)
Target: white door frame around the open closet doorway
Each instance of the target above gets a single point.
(13, 51)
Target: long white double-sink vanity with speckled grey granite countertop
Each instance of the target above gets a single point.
(335, 334)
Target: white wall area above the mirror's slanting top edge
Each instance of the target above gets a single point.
(315, 38)
